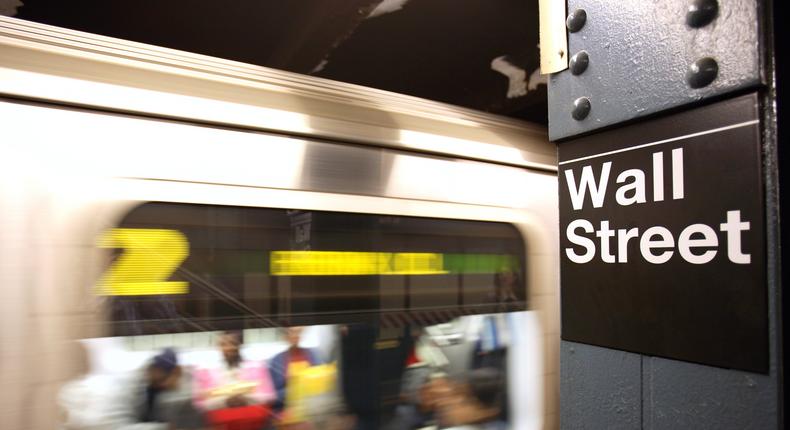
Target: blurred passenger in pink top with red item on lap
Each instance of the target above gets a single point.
(235, 384)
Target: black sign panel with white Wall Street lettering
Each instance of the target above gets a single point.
(663, 237)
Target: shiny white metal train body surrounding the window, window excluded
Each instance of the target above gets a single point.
(91, 127)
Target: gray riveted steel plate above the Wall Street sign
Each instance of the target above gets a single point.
(642, 57)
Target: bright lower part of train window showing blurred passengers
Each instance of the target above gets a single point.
(433, 387)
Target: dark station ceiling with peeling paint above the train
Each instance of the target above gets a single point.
(480, 54)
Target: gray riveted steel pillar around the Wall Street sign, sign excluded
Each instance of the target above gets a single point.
(639, 62)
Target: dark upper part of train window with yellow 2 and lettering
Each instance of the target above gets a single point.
(182, 267)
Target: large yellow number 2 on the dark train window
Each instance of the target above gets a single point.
(150, 256)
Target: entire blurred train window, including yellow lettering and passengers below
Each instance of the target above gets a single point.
(234, 317)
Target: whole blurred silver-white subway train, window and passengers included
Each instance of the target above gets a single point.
(156, 203)
